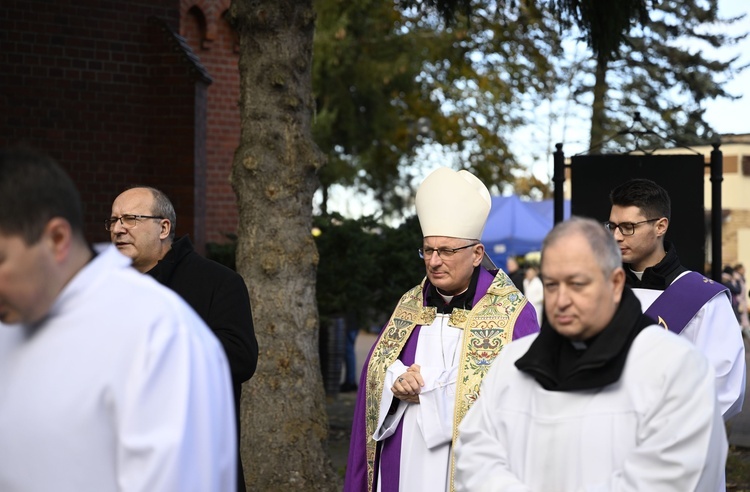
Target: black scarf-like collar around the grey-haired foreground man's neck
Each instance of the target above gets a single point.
(558, 366)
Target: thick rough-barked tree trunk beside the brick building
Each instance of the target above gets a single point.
(284, 421)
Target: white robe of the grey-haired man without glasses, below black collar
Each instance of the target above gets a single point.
(657, 429)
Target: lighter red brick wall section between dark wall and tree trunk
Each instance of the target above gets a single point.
(212, 39)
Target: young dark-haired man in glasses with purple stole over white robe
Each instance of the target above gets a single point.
(684, 302)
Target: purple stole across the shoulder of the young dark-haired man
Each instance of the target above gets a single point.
(682, 300)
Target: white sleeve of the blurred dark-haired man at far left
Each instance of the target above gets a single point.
(177, 424)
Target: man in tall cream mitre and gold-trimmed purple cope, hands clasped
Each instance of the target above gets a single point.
(424, 371)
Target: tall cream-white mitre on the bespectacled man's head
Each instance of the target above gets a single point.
(453, 204)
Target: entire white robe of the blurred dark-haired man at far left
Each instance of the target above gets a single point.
(121, 388)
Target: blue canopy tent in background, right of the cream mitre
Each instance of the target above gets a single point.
(515, 227)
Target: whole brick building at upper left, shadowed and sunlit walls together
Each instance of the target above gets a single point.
(141, 92)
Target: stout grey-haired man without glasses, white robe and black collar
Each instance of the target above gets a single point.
(602, 399)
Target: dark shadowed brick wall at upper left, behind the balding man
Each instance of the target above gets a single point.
(101, 88)
